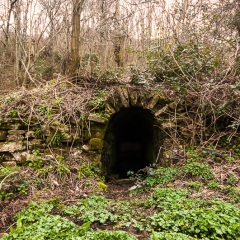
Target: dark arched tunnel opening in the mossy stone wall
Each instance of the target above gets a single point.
(130, 142)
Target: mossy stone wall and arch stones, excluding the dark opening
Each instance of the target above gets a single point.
(19, 138)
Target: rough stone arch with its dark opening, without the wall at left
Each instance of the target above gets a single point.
(135, 131)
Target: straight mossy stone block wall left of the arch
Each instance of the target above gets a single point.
(19, 140)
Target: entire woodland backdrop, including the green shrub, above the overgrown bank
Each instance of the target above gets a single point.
(156, 41)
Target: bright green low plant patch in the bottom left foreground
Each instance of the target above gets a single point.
(37, 222)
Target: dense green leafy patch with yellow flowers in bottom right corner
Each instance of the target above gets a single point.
(213, 219)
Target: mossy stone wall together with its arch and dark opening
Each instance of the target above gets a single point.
(133, 130)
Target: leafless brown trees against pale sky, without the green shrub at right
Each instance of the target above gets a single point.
(41, 37)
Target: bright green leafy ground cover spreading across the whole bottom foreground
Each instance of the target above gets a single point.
(169, 213)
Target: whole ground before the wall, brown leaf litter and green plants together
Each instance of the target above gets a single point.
(195, 200)
